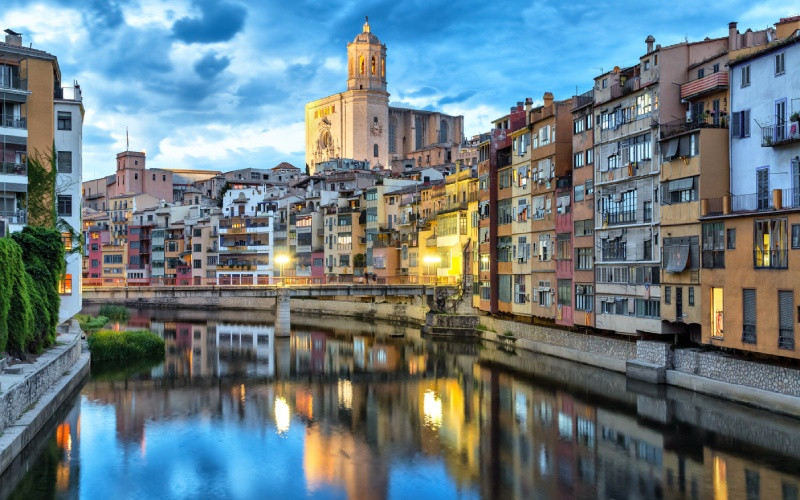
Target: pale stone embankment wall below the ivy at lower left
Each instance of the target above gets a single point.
(31, 393)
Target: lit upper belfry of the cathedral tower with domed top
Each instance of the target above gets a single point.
(366, 62)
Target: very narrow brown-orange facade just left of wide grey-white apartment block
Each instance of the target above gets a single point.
(583, 209)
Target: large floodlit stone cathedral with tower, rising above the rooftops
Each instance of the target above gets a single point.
(359, 124)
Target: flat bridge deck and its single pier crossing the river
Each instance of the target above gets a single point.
(254, 296)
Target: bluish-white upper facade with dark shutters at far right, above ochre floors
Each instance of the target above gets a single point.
(765, 142)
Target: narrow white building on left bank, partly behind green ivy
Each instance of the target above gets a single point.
(69, 152)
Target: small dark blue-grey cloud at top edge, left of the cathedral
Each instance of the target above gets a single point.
(219, 21)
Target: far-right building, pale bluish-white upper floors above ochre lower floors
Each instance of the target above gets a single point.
(753, 308)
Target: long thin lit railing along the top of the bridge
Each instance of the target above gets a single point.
(271, 281)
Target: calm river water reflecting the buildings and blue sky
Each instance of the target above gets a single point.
(344, 409)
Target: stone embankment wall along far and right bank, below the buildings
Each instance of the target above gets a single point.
(772, 387)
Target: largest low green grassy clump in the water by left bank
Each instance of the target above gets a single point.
(110, 346)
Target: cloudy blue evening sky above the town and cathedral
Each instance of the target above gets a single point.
(222, 84)
